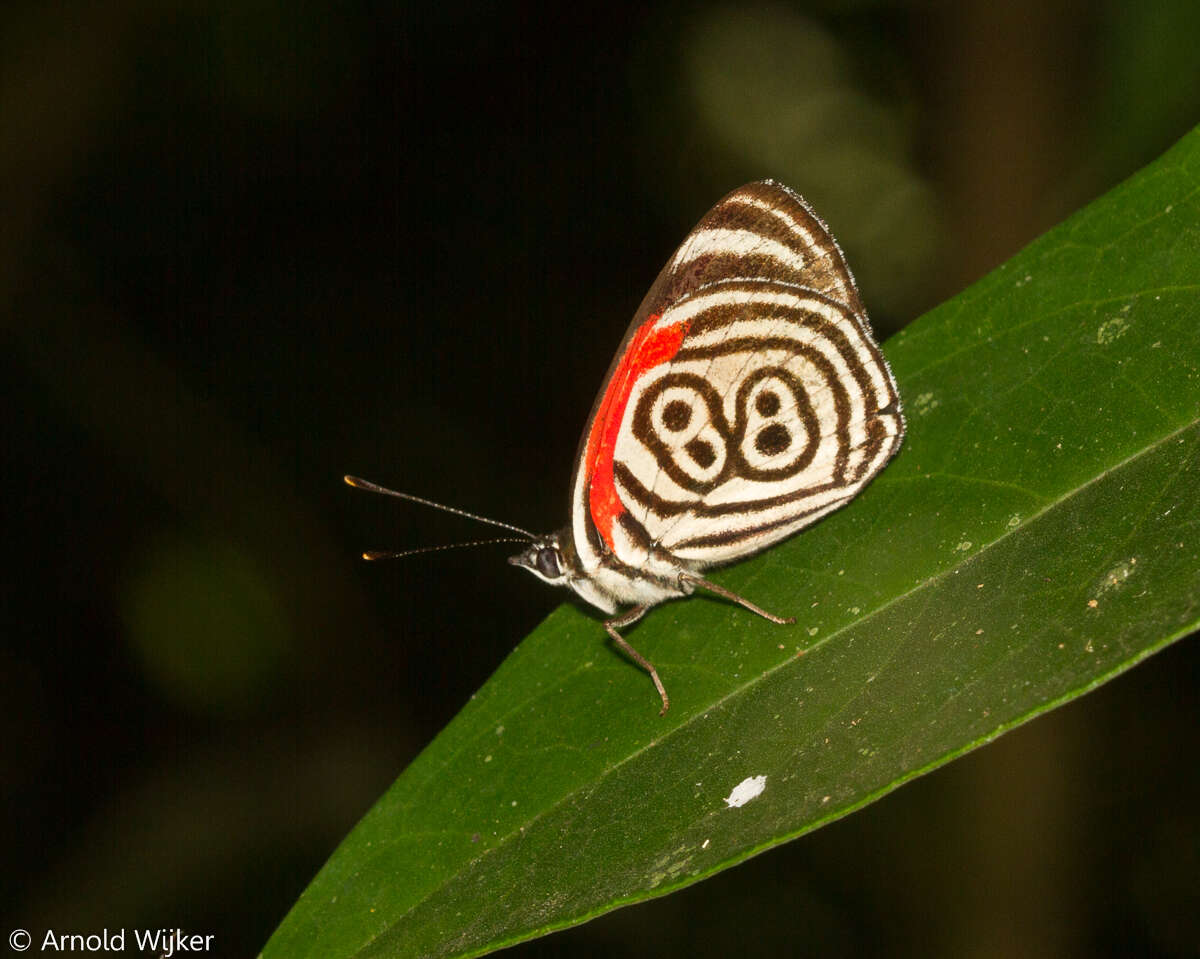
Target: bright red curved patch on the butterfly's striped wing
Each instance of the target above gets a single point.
(649, 349)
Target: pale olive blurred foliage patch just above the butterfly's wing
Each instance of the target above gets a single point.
(775, 91)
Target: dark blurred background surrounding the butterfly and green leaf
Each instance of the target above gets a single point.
(248, 247)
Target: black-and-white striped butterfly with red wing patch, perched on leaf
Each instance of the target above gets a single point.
(747, 400)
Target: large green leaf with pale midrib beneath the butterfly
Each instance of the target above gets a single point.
(1039, 535)
